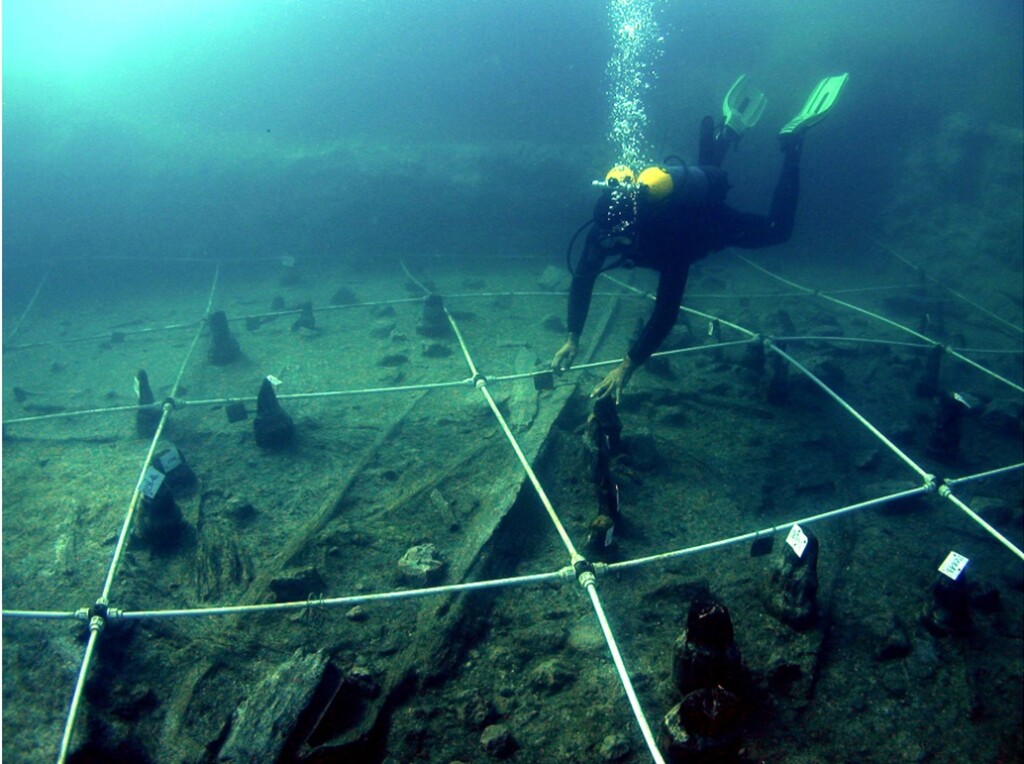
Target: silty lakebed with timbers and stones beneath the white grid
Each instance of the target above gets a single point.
(523, 673)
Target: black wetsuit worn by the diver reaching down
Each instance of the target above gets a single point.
(674, 233)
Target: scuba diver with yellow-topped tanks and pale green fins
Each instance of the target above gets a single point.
(672, 216)
